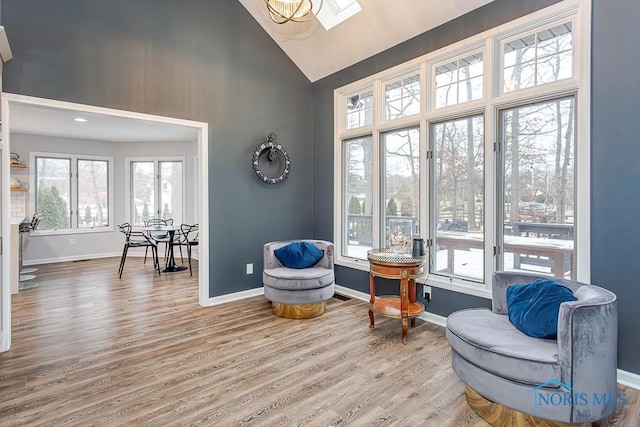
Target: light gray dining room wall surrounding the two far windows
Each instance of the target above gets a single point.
(89, 245)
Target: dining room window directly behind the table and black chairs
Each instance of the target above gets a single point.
(156, 190)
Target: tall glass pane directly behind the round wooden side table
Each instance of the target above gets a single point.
(401, 186)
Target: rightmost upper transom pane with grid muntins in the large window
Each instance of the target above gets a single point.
(542, 57)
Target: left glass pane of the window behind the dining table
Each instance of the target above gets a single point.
(142, 192)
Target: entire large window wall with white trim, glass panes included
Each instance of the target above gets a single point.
(481, 162)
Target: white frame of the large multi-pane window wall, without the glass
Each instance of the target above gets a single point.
(578, 12)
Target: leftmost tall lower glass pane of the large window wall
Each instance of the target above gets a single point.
(358, 191)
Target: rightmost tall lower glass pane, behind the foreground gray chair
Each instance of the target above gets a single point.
(538, 187)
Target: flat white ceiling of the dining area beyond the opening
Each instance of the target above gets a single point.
(52, 121)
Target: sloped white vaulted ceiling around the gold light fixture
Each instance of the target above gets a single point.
(380, 25)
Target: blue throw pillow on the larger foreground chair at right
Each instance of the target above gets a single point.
(533, 307)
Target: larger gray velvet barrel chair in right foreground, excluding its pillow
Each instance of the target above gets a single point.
(512, 376)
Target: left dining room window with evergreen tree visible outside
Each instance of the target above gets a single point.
(72, 192)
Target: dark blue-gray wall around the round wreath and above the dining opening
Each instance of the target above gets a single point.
(201, 60)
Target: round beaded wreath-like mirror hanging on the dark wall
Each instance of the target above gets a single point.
(271, 161)
